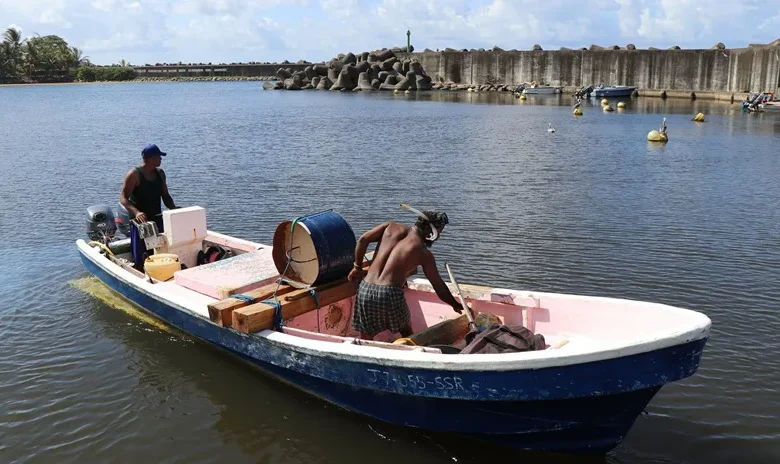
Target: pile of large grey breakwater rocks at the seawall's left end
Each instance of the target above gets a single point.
(369, 71)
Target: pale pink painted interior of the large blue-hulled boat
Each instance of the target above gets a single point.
(567, 322)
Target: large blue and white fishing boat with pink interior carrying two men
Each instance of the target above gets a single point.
(603, 361)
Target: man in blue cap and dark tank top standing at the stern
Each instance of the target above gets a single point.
(143, 189)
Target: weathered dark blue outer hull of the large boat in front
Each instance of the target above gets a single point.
(583, 408)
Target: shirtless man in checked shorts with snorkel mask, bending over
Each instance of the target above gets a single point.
(380, 303)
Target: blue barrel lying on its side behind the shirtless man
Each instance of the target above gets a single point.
(317, 249)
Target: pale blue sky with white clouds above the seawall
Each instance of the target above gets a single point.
(156, 31)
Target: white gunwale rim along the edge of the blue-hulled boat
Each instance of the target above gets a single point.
(416, 359)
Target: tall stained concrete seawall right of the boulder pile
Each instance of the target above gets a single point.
(752, 69)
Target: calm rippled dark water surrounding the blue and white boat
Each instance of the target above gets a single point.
(591, 209)
